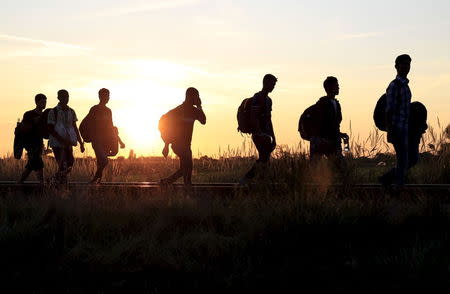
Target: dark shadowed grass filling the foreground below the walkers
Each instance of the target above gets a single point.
(260, 241)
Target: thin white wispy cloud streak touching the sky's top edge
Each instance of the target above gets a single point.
(148, 7)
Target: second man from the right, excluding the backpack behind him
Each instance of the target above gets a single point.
(327, 140)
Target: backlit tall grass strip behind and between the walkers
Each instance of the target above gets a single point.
(368, 159)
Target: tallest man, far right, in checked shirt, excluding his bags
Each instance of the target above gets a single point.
(398, 101)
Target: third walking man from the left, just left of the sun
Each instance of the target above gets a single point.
(104, 133)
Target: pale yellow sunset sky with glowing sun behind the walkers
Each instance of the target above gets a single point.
(148, 52)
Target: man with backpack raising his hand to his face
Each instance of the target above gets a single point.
(176, 129)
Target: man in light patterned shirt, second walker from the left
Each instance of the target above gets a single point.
(64, 135)
